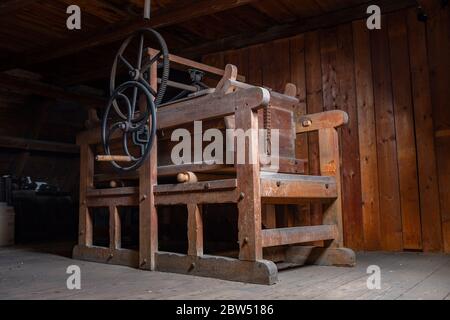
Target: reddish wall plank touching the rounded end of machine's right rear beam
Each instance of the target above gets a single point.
(351, 175)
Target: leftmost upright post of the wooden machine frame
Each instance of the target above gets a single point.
(86, 182)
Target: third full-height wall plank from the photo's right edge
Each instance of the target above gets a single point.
(404, 125)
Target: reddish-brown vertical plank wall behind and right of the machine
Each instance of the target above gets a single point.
(393, 83)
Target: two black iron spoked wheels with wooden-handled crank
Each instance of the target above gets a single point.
(131, 110)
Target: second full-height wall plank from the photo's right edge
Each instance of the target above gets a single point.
(428, 180)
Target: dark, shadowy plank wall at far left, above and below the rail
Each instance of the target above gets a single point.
(32, 118)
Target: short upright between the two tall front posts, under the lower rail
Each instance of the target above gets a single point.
(195, 230)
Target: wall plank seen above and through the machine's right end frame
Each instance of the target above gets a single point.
(314, 105)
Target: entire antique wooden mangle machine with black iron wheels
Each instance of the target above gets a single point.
(127, 166)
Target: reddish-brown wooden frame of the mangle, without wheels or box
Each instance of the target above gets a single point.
(254, 191)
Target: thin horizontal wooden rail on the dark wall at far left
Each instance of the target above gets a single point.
(38, 145)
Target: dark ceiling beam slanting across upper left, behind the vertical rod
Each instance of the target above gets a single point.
(116, 32)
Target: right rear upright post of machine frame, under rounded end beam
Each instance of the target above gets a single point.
(330, 166)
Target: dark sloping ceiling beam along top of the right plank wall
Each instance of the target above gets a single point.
(295, 28)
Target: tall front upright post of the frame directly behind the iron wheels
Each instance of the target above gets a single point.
(148, 216)
